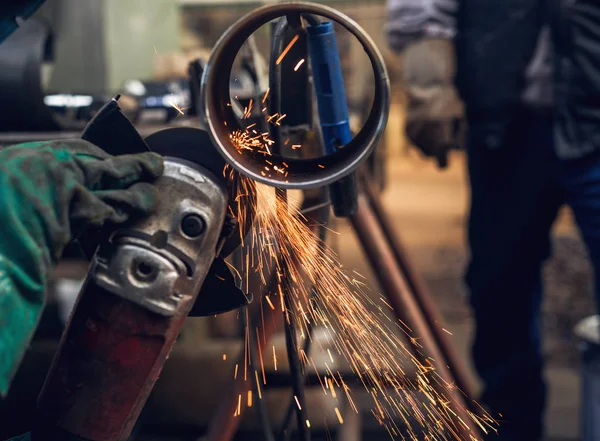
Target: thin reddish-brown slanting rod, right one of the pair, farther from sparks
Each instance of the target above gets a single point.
(464, 379)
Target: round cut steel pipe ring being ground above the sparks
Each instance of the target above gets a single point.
(221, 120)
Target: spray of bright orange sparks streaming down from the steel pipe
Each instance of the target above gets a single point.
(353, 322)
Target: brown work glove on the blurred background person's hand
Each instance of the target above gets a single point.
(435, 114)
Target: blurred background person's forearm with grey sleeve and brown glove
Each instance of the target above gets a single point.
(422, 31)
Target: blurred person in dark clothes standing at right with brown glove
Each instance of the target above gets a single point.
(525, 77)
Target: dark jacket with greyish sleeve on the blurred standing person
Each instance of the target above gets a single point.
(544, 53)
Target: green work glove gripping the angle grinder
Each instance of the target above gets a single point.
(49, 193)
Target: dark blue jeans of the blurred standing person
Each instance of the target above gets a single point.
(516, 192)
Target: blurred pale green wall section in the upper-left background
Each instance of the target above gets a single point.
(101, 43)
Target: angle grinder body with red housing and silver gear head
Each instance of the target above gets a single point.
(129, 314)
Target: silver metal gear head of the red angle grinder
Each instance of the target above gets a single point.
(152, 264)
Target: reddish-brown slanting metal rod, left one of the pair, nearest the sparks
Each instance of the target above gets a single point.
(382, 260)
